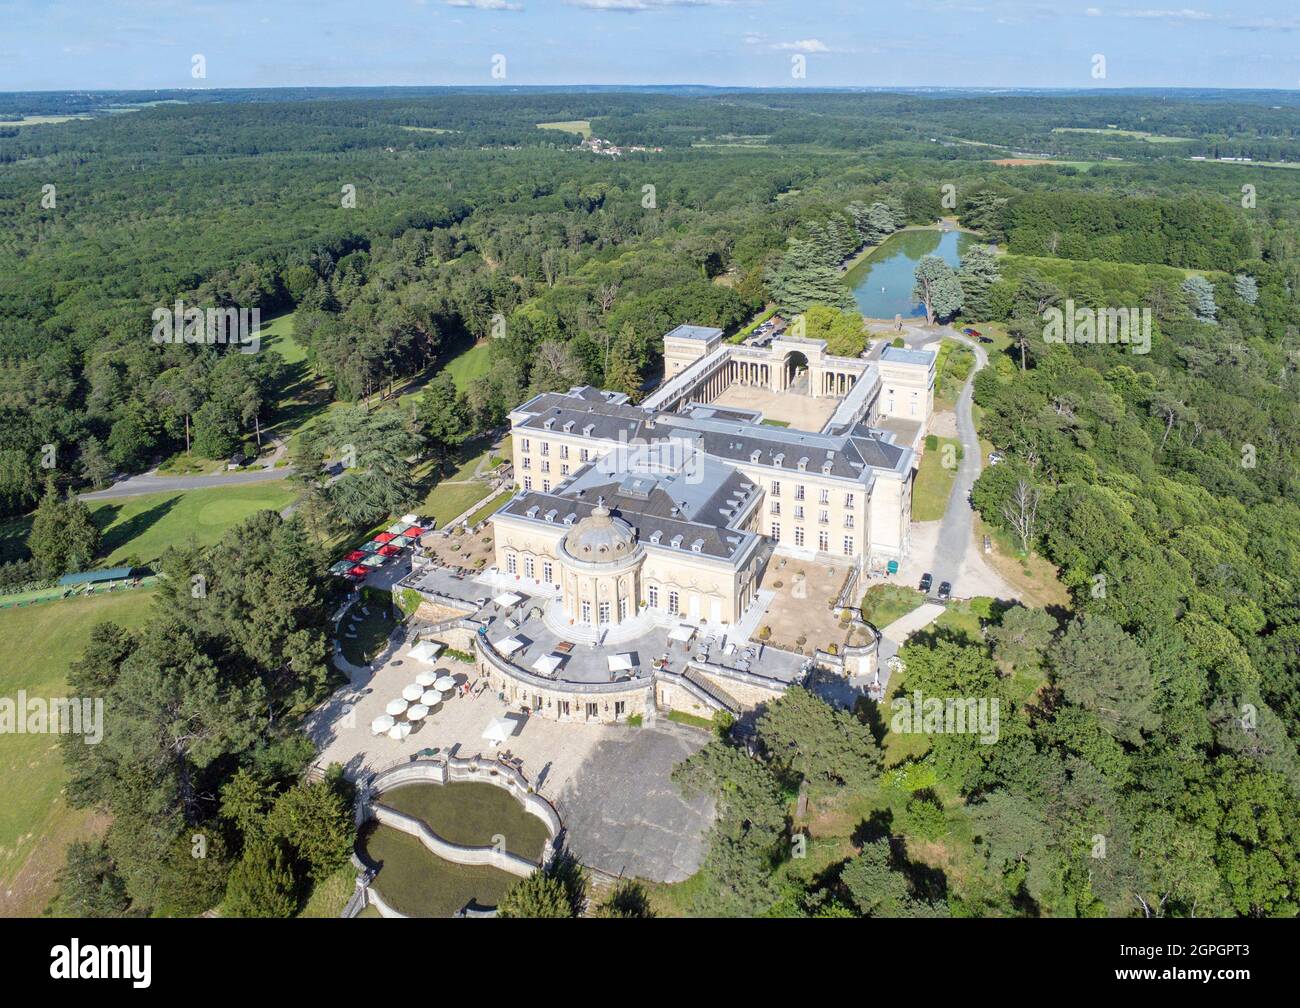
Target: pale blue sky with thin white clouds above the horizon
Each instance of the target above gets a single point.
(97, 45)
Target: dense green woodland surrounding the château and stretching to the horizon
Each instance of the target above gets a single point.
(1147, 755)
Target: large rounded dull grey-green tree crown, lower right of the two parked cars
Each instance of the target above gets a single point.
(1103, 669)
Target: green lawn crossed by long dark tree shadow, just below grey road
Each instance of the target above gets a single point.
(142, 527)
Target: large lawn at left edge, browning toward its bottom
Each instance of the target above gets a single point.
(36, 821)
